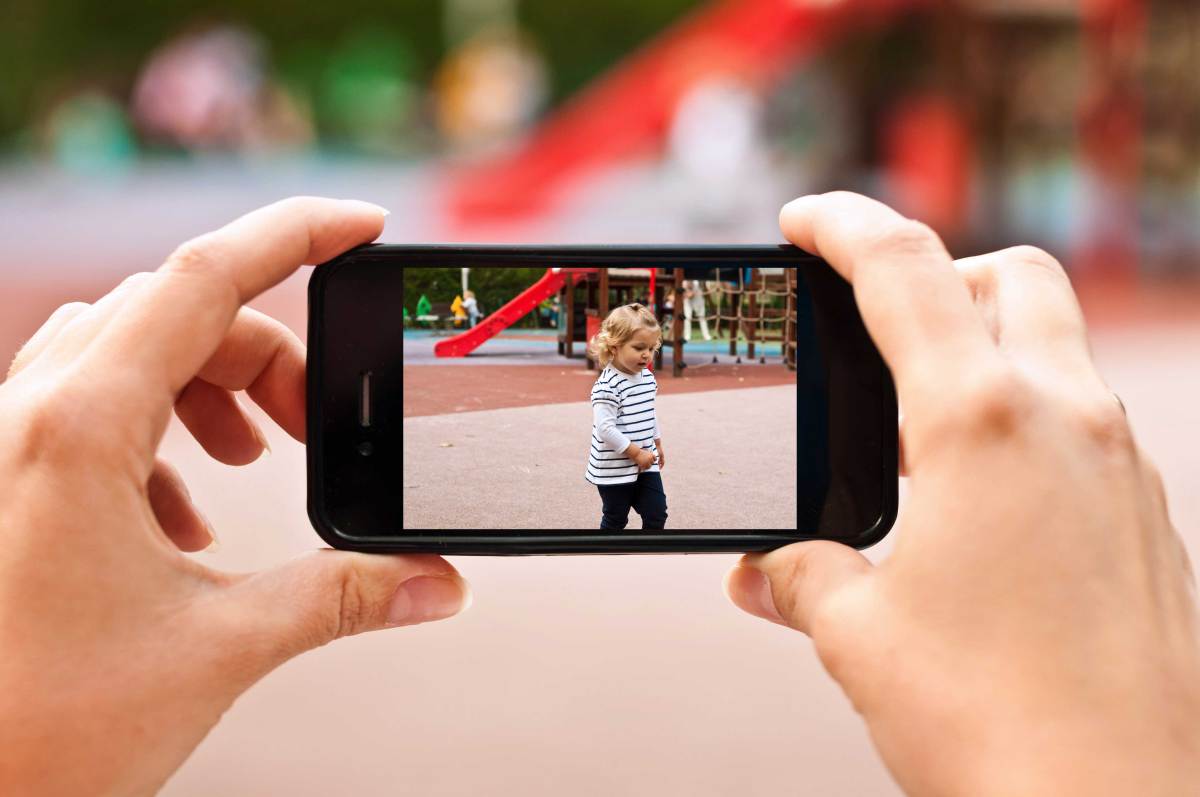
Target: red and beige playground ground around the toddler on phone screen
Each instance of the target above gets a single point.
(500, 440)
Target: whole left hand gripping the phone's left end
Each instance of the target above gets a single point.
(121, 652)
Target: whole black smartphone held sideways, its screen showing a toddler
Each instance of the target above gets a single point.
(439, 423)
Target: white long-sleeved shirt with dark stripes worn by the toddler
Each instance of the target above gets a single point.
(622, 414)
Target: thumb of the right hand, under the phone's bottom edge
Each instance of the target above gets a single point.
(790, 586)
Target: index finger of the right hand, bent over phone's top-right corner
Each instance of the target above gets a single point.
(914, 303)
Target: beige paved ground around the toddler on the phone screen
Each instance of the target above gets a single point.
(466, 470)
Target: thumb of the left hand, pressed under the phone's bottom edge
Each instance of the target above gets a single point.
(328, 595)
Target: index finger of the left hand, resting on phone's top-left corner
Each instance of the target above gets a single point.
(171, 327)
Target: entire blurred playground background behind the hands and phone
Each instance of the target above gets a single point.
(130, 127)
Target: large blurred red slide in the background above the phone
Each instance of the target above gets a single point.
(628, 111)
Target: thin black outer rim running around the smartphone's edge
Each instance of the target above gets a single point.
(529, 542)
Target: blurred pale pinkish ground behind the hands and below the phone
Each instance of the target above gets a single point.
(589, 676)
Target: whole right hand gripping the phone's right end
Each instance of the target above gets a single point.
(1035, 631)
